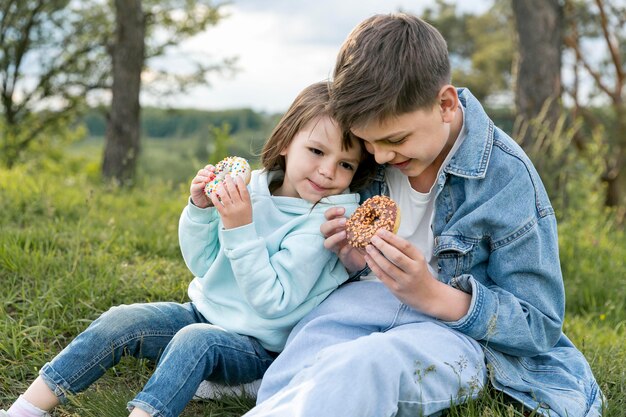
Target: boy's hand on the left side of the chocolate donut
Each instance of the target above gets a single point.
(334, 230)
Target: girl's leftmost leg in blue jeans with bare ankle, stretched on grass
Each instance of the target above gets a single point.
(140, 330)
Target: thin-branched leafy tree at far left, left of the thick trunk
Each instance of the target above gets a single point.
(49, 60)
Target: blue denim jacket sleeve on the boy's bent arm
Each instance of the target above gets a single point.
(510, 263)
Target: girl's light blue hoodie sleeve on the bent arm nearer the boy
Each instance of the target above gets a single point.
(276, 284)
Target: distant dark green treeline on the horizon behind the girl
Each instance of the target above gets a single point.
(181, 123)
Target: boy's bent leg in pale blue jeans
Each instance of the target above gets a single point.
(414, 369)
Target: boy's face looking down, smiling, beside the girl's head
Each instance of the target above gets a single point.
(413, 142)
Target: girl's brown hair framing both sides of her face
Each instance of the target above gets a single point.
(310, 105)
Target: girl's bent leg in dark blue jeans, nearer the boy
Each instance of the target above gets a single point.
(200, 352)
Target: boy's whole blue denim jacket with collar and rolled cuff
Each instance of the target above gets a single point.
(496, 239)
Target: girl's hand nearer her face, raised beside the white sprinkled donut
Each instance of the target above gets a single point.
(232, 201)
